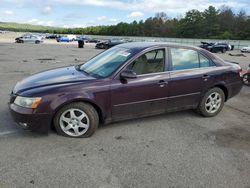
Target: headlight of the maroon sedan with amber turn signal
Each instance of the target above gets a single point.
(27, 102)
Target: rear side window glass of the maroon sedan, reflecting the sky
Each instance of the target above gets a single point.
(187, 59)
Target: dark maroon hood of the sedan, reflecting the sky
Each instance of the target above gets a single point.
(57, 76)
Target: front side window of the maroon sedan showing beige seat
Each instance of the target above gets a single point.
(150, 62)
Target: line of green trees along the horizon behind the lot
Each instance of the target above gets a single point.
(211, 23)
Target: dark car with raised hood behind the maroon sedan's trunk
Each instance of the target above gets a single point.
(215, 47)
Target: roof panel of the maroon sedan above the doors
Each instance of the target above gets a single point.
(144, 45)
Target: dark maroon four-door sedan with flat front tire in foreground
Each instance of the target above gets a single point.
(130, 80)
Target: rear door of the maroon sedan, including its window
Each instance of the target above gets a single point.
(191, 73)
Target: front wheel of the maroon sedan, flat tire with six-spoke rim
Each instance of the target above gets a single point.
(78, 120)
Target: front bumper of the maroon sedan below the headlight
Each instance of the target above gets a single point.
(28, 119)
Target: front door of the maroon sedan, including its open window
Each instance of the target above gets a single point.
(144, 95)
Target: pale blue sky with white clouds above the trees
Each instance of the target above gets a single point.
(83, 13)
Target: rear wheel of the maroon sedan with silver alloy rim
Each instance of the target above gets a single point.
(212, 102)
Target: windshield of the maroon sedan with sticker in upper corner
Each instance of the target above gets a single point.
(106, 62)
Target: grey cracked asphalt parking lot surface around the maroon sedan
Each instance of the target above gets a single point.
(180, 149)
